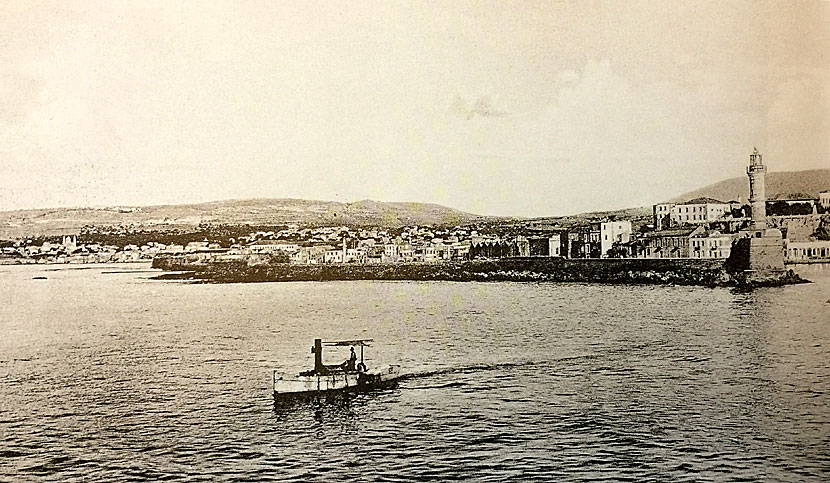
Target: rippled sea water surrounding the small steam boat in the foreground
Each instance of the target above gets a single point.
(112, 376)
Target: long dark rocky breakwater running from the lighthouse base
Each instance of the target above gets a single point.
(710, 273)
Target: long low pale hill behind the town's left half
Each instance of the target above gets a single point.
(14, 224)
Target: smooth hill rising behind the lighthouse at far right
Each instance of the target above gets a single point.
(781, 183)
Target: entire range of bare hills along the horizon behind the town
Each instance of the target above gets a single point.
(281, 211)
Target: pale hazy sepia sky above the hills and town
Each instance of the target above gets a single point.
(495, 108)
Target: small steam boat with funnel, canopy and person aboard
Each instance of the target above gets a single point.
(348, 376)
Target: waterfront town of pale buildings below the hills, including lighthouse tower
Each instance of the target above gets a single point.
(701, 228)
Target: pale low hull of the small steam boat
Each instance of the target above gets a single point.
(340, 381)
